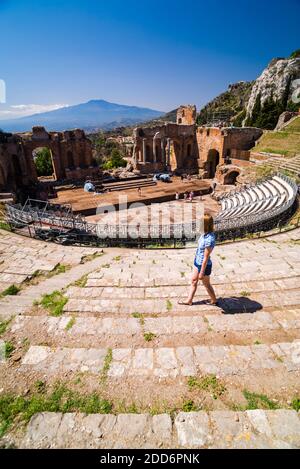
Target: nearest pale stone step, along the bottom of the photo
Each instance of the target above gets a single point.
(278, 429)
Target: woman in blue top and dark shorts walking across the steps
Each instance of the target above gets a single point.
(203, 263)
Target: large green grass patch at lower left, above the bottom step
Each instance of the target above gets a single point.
(61, 399)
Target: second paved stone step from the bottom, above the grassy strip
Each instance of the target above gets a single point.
(166, 362)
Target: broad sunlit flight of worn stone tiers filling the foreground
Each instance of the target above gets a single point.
(176, 376)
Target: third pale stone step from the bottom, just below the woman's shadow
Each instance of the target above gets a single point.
(91, 331)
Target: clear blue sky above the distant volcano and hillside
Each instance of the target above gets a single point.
(150, 53)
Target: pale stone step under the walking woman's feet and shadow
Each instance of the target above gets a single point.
(230, 304)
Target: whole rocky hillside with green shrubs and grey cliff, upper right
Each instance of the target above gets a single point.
(258, 103)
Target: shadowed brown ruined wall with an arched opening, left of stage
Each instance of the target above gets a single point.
(71, 156)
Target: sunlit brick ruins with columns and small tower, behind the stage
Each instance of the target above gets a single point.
(185, 147)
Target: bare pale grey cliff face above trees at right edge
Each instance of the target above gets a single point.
(275, 82)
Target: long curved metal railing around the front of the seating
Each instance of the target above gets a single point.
(225, 228)
